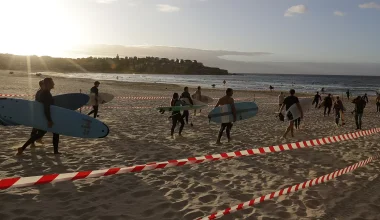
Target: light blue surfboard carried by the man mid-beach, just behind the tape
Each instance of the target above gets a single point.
(223, 114)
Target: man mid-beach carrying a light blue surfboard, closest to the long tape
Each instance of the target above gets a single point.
(226, 100)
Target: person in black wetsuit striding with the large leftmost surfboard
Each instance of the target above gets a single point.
(47, 100)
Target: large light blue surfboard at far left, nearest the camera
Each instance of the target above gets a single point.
(66, 122)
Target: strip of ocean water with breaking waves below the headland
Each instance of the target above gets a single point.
(358, 85)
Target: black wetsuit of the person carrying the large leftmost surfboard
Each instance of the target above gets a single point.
(47, 100)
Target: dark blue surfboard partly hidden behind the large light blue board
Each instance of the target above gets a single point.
(71, 101)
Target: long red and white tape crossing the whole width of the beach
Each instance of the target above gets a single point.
(52, 178)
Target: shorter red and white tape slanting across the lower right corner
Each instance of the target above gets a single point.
(291, 189)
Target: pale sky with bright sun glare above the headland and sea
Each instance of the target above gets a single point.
(342, 31)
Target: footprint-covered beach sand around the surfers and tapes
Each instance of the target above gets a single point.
(139, 136)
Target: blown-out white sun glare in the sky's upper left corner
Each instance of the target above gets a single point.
(36, 27)
